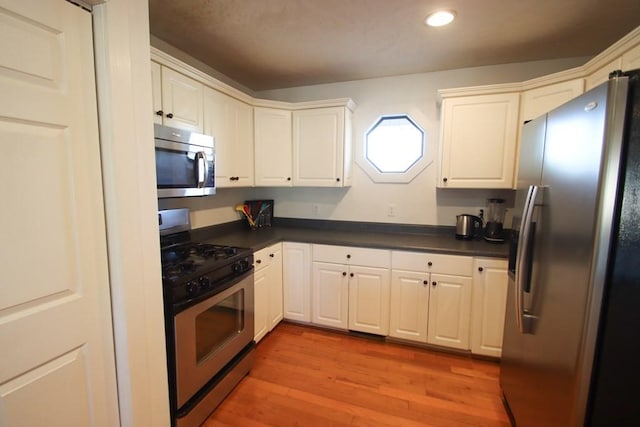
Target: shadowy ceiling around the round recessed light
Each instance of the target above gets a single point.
(268, 44)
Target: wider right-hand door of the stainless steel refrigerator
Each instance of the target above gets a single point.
(564, 242)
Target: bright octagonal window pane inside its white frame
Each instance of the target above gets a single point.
(394, 144)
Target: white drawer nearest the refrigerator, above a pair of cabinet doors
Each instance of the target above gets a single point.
(440, 263)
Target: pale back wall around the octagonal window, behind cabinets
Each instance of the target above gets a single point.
(418, 202)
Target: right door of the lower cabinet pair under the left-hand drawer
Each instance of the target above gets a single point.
(369, 299)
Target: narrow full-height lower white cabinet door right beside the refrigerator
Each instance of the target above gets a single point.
(490, 281)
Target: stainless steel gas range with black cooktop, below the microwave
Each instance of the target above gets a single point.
(209, 309)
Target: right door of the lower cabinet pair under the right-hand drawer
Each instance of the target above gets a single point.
(449, 311)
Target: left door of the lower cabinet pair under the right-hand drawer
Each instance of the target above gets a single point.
(409, 305)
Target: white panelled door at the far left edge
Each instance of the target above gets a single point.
(57, 365)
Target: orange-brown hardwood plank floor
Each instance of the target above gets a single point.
(305, 376)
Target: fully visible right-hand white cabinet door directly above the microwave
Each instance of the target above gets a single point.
(182, 101)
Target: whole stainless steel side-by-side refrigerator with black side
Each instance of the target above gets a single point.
(571, 350)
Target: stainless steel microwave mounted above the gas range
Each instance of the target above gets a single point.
(185, 162)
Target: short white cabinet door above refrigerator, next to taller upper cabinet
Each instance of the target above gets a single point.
(538, 101)
